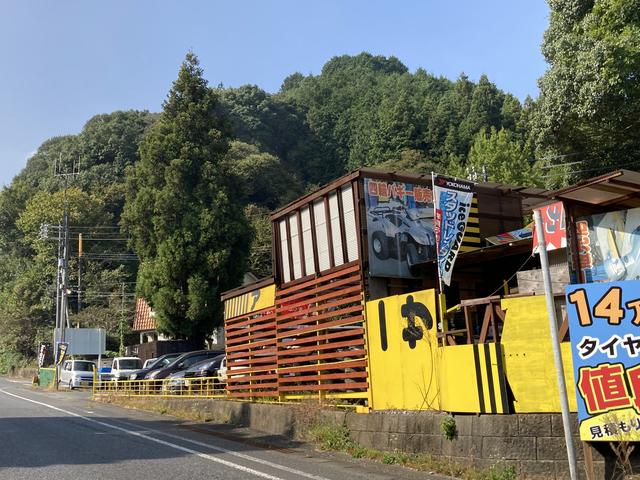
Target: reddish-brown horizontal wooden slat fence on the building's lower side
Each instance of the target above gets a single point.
(312, 343)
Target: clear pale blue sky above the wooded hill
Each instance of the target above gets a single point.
(63, 61)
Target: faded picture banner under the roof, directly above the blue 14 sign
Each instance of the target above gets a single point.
(609, 246)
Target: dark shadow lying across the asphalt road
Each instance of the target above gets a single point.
(33, 442)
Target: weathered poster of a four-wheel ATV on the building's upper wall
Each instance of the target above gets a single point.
(399, 226)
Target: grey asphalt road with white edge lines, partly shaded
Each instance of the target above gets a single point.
(64, 435)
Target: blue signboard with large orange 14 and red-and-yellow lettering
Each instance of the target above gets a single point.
(604, 326)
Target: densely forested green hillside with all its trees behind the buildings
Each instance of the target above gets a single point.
(235, 154)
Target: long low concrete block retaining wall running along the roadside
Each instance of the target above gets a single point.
(532, 443)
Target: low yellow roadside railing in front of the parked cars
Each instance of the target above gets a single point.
(210, 387)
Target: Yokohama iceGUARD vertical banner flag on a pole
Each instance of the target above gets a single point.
(452, 202)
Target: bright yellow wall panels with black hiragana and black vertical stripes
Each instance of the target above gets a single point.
(409, 370)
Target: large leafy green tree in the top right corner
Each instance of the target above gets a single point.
(589, 105)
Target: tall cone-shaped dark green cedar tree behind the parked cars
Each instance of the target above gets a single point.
(182, 213)
